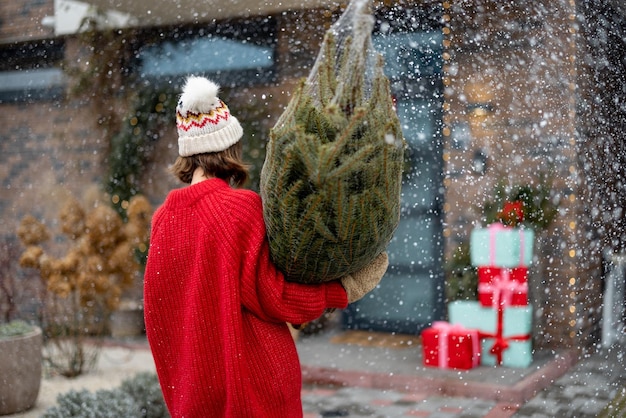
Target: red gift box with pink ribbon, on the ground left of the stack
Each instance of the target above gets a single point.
(450, 346)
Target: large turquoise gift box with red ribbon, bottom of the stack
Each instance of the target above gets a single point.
(516, 331)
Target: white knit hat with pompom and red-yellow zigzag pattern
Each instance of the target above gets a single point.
(203, 121)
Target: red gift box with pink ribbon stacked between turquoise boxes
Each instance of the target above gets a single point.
(497, 285)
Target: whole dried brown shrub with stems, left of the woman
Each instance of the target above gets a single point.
(86, 284)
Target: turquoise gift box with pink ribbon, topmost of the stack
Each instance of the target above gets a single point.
(501, 246)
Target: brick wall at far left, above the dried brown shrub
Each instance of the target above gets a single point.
(47, 149)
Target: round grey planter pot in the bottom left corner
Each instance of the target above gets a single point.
(20, 371)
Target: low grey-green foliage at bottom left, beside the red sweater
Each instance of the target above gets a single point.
(139, 396)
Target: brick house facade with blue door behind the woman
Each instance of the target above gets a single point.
(488, 93)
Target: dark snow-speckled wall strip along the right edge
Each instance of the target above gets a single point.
(602, 141)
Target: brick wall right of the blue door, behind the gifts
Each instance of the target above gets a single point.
(530, 65)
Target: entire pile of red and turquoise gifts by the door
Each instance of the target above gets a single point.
(496, 329)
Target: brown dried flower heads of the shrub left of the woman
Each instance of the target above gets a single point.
(101, 262)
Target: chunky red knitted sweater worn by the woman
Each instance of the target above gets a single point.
(216, 308)
